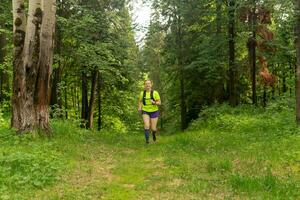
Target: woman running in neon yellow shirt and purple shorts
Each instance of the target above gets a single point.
(148, 106)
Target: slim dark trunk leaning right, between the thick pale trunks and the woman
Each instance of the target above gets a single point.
(92, 99)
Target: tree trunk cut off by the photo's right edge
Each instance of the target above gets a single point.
(297, 35)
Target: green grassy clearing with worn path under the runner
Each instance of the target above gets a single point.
(241, 153)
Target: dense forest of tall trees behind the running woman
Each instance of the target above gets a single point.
(197, 54)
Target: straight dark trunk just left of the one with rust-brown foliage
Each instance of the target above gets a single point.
(233, 95)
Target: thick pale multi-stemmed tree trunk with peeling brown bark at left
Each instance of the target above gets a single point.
(32, 64)
